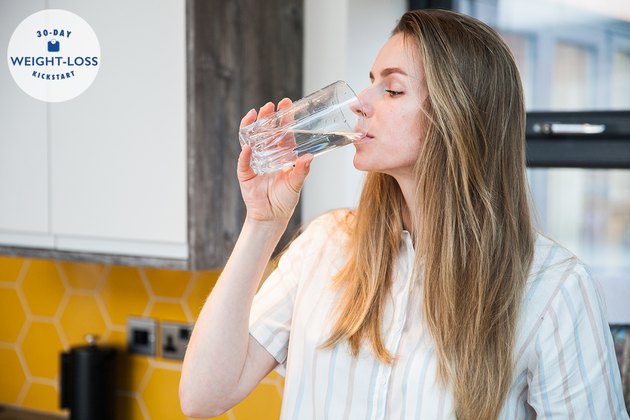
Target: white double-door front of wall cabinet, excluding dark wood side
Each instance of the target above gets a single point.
(106, 171)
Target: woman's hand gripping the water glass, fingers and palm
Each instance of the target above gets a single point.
(273, 196)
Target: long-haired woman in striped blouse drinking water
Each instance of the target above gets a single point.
(435, 298)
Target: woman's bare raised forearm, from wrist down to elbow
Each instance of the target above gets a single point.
(218, 347)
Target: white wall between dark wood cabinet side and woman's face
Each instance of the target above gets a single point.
(341, 41)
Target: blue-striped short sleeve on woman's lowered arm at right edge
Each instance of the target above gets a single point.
(574, 373)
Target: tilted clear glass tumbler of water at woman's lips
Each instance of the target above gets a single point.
(322, 121)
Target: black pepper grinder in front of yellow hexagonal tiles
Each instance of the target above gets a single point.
(88, 381)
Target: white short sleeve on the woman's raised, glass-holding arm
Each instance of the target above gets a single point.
(273, 305)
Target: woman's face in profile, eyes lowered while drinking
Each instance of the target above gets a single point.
(394, 138)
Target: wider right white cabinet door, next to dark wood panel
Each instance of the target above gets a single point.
(118, 151)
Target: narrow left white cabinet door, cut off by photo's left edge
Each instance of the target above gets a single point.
(24, 192)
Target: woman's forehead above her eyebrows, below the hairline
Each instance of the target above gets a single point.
(398, 52)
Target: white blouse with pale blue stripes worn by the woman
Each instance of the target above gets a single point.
(565, 365)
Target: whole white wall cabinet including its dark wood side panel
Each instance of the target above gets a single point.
(140, 168)
